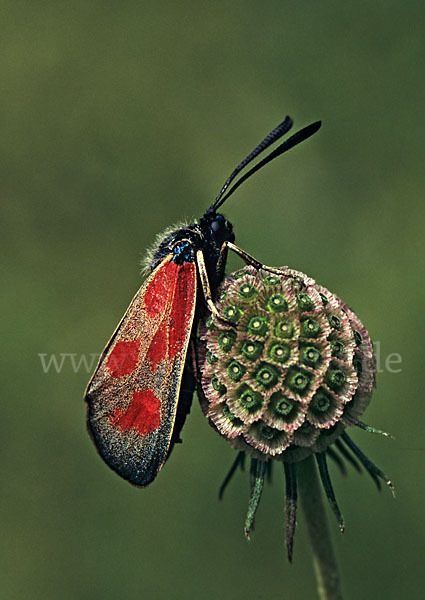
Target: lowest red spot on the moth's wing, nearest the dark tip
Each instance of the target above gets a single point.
(142, 415)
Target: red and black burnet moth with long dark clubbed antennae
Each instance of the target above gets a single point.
(142, 387)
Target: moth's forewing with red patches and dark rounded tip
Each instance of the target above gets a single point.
(132, 396)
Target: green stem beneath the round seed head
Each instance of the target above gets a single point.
(324, 561)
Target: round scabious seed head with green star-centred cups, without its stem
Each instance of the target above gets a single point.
(293, 372)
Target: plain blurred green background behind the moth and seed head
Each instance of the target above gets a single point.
(119, 119)
